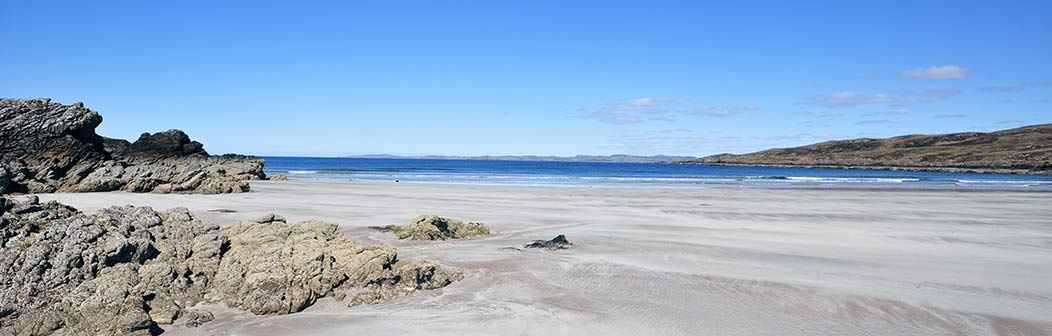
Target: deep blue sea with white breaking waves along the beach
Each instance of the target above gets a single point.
(635, 175)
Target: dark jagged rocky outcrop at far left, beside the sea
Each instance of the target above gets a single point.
(47, 147)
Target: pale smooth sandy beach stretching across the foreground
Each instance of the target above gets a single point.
(675, 262)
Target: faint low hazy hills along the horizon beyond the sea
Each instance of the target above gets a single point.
(578, 159)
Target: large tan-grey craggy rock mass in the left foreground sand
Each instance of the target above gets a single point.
(129, 270)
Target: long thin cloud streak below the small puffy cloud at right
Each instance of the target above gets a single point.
(848, 98)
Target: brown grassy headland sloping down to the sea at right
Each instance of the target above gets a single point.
(1021, 151)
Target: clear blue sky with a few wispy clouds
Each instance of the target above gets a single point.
(312, 78)
